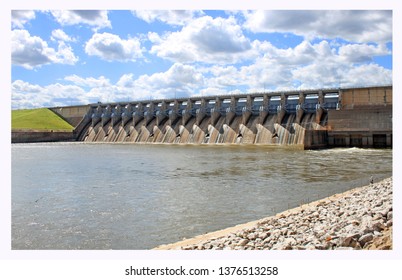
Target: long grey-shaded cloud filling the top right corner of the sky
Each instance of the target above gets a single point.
(354, 25)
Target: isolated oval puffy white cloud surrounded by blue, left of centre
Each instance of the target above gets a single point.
(111, 47)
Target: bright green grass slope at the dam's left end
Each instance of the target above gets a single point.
(38, 119)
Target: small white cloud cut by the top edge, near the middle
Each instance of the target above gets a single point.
(172, 17)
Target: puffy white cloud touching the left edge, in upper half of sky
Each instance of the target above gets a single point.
(31, 51)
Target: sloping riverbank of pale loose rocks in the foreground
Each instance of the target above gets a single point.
(357, 219)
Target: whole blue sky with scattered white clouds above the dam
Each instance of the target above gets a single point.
(67, 57)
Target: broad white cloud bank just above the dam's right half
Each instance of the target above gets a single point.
(305, 66)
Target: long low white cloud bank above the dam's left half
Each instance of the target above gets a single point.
(181, 80)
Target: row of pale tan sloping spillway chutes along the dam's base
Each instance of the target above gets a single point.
(228, 128)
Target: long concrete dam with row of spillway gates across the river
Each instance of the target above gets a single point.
(360, 117)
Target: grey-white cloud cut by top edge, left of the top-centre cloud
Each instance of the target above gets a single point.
(95, 18)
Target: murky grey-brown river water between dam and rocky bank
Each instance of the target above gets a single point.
(132, 196)
